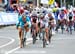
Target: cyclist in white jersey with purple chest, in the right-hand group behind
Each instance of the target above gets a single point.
(61, 19)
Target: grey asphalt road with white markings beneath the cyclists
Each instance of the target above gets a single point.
(60, 43)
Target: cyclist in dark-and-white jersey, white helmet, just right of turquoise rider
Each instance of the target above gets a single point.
(34, 21)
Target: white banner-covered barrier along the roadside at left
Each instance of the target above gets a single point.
(8, 18)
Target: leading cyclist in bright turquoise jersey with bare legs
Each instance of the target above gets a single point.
(22, 23)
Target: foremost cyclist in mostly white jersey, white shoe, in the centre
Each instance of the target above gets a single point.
(44, 22)
